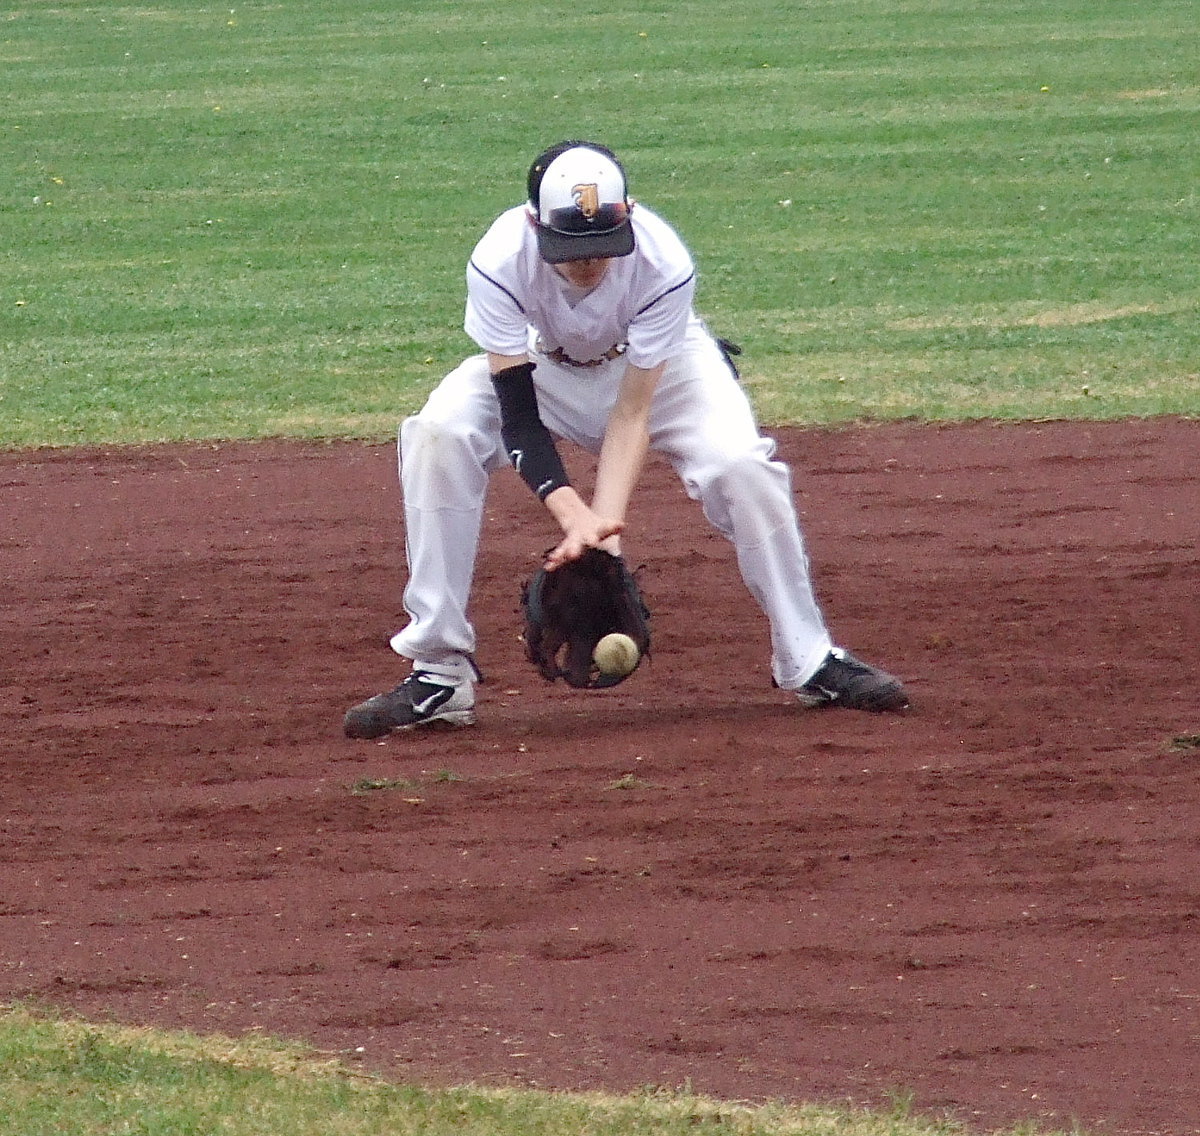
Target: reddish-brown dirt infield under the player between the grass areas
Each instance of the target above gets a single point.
(992, 903)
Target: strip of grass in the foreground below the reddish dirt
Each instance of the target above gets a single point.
(61, 1075)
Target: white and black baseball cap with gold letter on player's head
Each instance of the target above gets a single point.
(580, 206)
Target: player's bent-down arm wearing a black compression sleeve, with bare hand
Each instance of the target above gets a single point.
(532, 450)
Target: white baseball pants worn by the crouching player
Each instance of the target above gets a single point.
(700, 420)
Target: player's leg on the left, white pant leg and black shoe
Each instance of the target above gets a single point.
(446, 455)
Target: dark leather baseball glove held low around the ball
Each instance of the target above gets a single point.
(571, 610)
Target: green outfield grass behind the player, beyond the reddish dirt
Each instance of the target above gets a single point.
(244, 221)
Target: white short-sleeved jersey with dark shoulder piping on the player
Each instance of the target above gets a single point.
(644, 306)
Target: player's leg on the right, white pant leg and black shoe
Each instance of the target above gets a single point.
(704, 423)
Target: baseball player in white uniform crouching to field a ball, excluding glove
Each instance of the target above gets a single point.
(581, 304)
